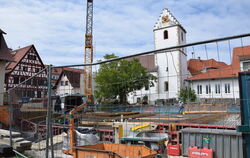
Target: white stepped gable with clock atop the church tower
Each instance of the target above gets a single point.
(166, 19)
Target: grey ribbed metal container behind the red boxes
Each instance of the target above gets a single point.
(225, 143)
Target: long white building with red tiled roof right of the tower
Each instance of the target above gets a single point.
(215, 81)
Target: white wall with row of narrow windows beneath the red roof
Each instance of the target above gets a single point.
(234, 88)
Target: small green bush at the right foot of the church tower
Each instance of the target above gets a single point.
(187, 94)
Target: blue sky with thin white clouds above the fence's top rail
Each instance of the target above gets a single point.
(57, 27)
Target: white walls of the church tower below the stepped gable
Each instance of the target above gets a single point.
(174, 61)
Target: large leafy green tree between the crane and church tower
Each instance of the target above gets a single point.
(118, 78)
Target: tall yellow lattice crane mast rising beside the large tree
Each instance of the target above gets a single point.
(88, 53)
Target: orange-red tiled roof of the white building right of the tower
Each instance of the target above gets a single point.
(222, 70)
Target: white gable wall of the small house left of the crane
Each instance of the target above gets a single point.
(66, 89)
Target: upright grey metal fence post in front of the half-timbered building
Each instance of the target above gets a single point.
(49, 132)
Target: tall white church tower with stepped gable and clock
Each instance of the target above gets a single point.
(172, 65)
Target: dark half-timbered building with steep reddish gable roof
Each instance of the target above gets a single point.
(27, 63)
